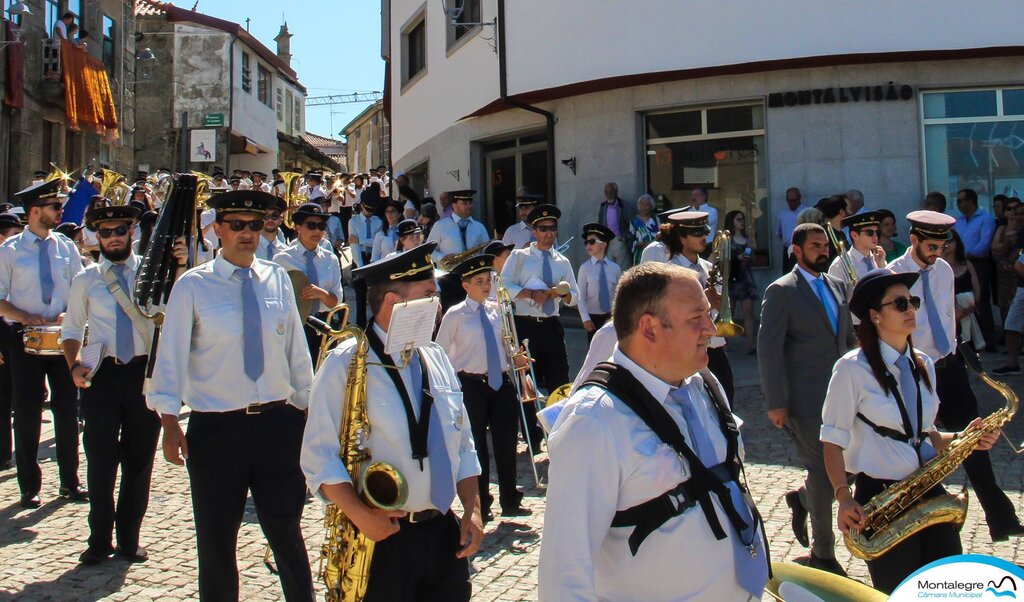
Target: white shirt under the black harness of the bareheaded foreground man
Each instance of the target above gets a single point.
(606, 459)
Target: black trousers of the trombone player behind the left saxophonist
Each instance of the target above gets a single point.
(497, 410)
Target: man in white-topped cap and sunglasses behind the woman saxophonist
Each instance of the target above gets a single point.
(936, 336)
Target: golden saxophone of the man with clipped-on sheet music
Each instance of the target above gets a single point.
(347, 553)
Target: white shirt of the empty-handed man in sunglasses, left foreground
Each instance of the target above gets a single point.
(201, 361)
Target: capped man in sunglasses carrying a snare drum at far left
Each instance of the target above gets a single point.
(36, 271)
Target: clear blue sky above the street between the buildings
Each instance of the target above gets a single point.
(335, 49)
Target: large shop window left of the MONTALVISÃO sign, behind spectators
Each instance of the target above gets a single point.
(721, 149)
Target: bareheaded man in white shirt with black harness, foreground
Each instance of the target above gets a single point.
(646, 499)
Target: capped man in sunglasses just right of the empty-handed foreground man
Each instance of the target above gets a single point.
(318, 263)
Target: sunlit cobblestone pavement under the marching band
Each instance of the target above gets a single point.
(39, 549)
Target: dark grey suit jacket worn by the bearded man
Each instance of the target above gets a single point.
(796, 346)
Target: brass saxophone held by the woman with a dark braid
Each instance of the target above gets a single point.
(899, 512)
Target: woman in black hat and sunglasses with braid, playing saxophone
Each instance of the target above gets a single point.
(878, 421)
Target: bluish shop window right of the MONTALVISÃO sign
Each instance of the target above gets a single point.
(972, 140)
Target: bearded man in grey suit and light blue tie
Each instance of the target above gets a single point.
(805, 328)
